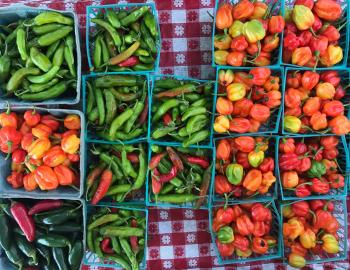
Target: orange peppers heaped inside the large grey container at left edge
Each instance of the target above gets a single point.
(44, 150)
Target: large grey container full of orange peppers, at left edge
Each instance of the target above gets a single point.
(41, 152)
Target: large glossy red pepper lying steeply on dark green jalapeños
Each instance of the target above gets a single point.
(20, 213)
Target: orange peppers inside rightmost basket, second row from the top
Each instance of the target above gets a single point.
(314, 103)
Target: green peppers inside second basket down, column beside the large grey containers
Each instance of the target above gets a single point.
(117, 107)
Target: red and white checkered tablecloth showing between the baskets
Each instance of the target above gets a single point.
(178, 238)
